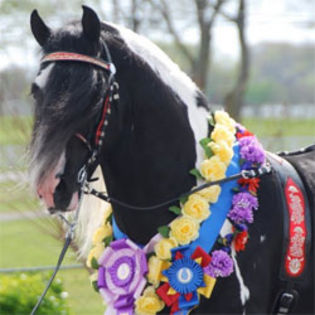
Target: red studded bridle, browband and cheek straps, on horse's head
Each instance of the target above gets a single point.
(111, 94)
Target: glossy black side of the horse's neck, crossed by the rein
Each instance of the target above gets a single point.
(150, 163)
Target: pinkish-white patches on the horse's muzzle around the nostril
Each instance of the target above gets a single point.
(47, 186)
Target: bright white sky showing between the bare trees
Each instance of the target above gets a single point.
(267, 20)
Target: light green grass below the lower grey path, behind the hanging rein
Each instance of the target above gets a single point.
(23, 244)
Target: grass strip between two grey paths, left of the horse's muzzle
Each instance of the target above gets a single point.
(16, 197)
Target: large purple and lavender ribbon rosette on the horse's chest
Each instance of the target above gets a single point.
(121, 274)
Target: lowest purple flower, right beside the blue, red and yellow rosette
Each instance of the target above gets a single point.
(221, 264)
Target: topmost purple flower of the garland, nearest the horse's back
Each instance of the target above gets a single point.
(251, 150)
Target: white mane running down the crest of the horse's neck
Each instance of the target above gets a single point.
(171, 75)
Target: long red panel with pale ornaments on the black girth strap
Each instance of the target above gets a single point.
(295, 257)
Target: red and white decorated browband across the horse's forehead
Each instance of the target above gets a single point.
(69, 56)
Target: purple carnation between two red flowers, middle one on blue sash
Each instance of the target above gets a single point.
(243, 204)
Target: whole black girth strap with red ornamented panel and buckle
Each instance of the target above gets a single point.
(297, 233)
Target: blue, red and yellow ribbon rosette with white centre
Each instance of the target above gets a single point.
(186, 280)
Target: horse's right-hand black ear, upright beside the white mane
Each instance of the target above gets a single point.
(91, 24)
